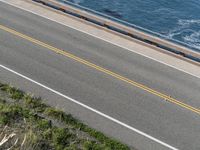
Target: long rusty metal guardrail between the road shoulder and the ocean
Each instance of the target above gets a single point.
(116, 25)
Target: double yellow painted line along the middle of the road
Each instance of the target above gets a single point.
(108, 72)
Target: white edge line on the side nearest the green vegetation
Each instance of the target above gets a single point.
(90, 108)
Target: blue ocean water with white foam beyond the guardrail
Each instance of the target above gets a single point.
(177, 20)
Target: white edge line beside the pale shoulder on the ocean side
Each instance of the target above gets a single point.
(101, 39)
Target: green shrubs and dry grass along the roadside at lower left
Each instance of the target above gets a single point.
(26, 123)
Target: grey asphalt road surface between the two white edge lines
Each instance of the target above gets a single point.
(171, 123)
